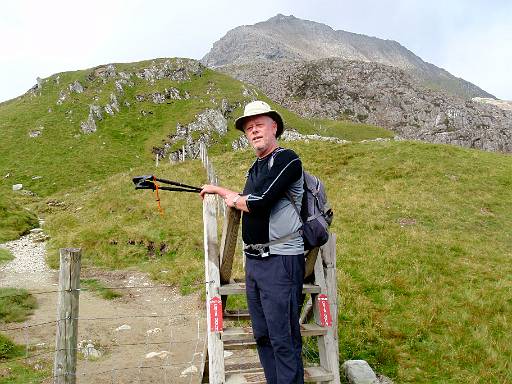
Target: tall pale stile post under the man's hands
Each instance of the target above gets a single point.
(212, 261)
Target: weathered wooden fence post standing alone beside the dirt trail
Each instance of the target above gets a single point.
(64, 369)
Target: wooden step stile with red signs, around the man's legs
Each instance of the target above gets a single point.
(218, 269)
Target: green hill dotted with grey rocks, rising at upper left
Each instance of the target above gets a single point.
(62, 156)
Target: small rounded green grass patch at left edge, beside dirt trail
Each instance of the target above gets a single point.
(15, 305)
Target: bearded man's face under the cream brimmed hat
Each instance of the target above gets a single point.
(261, 133)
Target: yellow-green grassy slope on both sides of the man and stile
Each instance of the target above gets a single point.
(424, 249)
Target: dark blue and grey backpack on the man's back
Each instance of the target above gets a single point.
(316, 214)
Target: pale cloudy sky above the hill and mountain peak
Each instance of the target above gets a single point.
(471, 39)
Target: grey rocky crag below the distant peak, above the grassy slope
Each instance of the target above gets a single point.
(381, 95)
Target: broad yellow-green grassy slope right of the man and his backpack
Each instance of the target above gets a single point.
(423, 250)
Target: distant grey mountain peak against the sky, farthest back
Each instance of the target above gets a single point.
(290, 38)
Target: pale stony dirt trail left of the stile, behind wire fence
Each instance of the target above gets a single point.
(150, 335)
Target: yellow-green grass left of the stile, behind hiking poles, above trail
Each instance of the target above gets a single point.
(120, 227)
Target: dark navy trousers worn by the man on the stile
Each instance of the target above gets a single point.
(274, 291)
